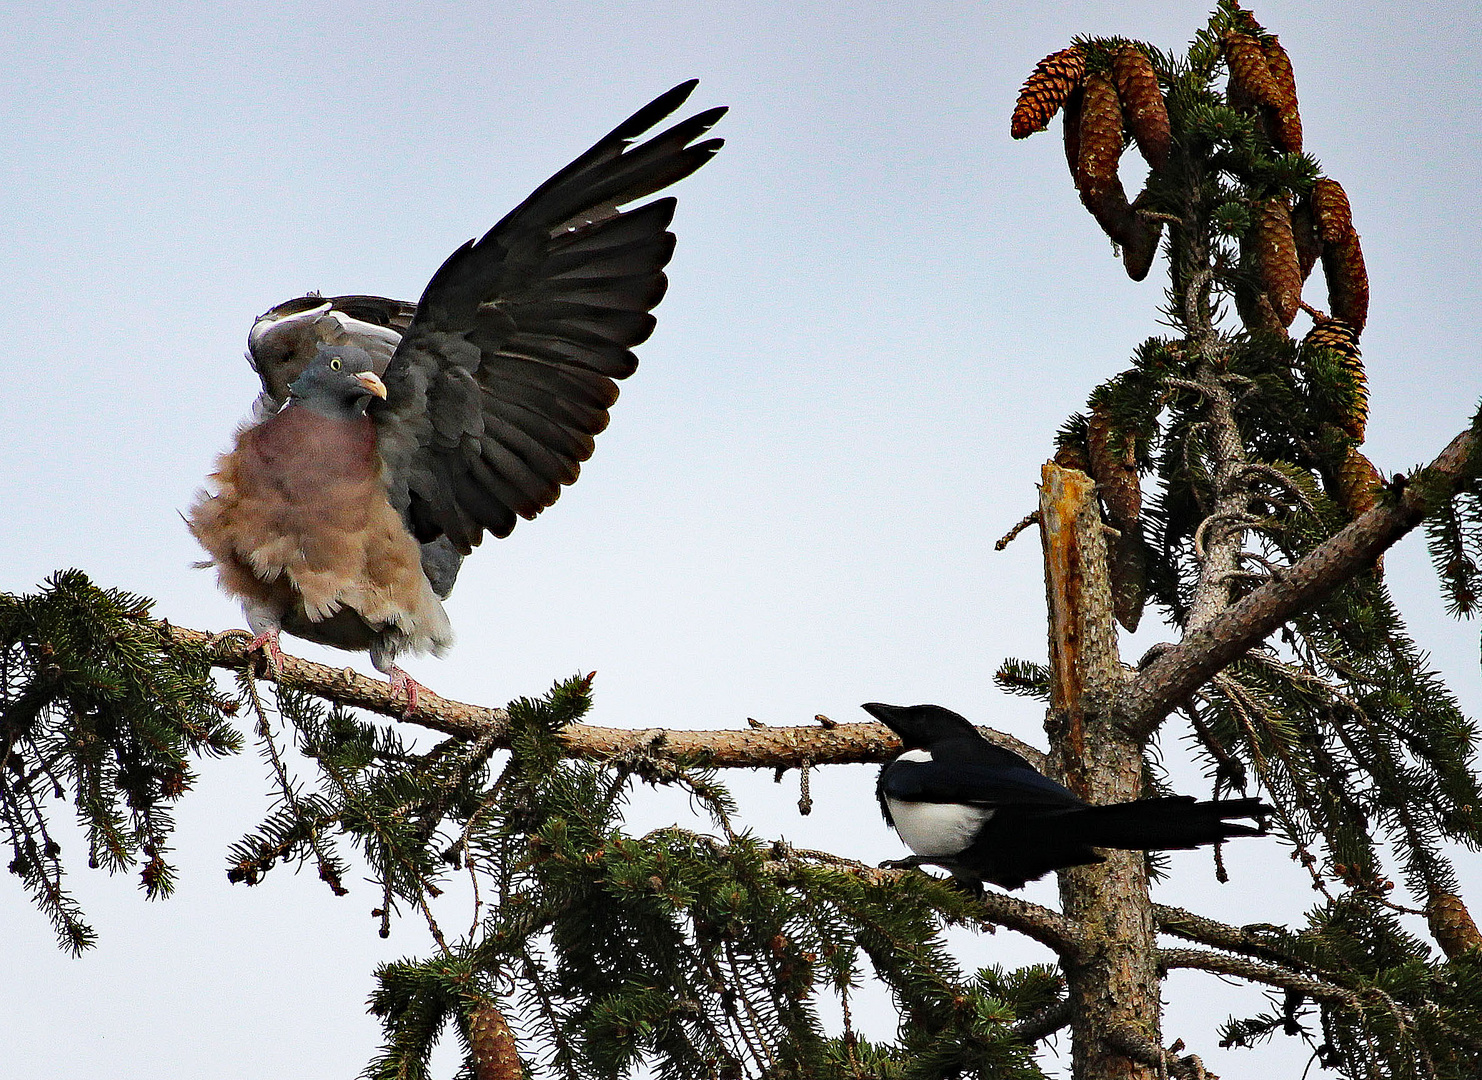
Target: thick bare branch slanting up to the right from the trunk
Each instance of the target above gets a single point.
(1167, 682)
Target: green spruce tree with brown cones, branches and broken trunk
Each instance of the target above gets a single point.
(1219, 485)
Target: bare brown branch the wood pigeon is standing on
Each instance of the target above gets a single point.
(794, 747)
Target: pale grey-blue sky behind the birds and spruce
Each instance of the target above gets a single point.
(880, 313)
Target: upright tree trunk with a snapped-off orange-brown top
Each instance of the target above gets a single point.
(1114, 986)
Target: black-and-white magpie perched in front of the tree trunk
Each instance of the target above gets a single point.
(985, 814)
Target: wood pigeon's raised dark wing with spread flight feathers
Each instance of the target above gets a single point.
(511, 364)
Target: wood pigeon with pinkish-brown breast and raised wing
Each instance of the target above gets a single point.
(448, 419)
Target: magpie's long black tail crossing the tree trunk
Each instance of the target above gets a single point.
(1176, 821)
